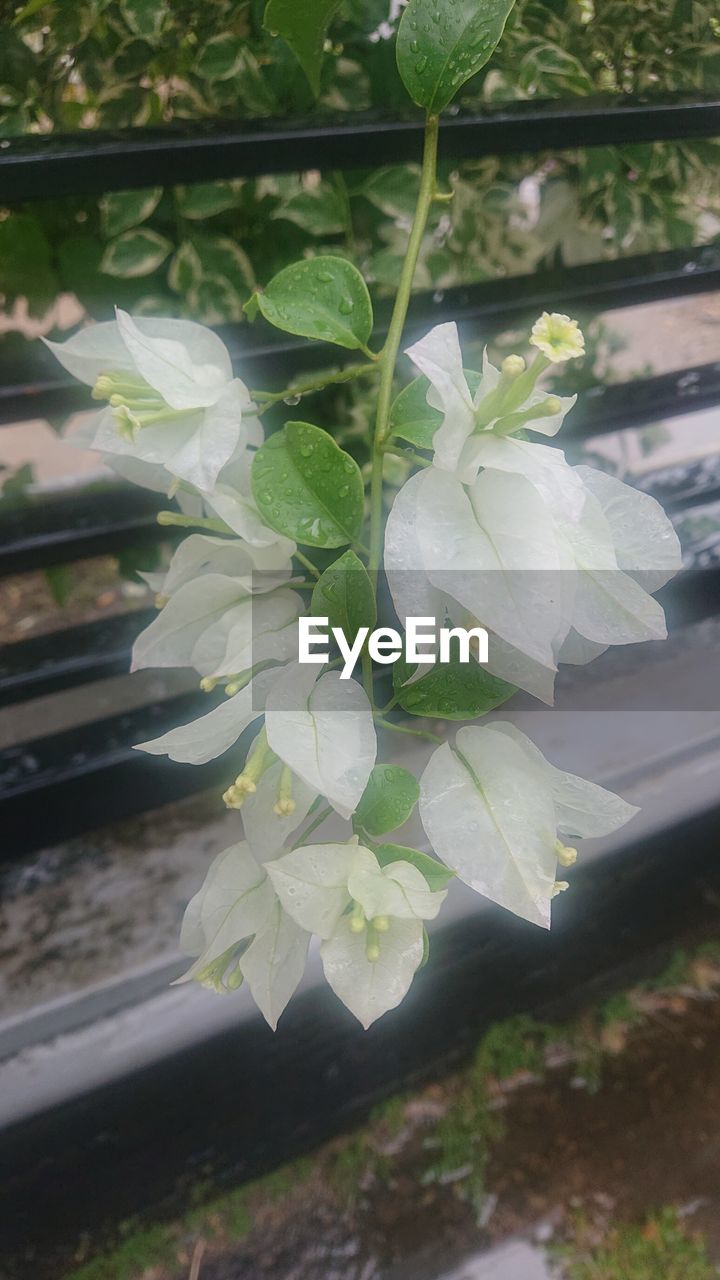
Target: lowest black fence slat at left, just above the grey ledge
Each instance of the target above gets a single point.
(56, 788)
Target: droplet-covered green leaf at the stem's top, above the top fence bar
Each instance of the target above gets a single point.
(440, 47)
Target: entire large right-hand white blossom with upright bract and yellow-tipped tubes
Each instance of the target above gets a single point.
(558, 563)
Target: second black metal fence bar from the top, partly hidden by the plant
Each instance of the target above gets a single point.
(35, 386)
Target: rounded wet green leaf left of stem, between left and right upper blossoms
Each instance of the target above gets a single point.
(307, 488)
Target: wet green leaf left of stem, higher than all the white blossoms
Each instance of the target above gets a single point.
(323, 299)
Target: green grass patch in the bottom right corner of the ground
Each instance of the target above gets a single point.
(662, 1250)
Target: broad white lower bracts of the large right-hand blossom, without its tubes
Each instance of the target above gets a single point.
(576, 555)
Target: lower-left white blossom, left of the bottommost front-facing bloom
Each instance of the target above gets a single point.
(238, 930)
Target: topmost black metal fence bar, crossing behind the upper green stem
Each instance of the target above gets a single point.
(47, 167)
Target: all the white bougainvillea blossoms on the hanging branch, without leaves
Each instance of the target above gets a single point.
(477, 536)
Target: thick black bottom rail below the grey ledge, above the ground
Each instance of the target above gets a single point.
(136, 1146)
